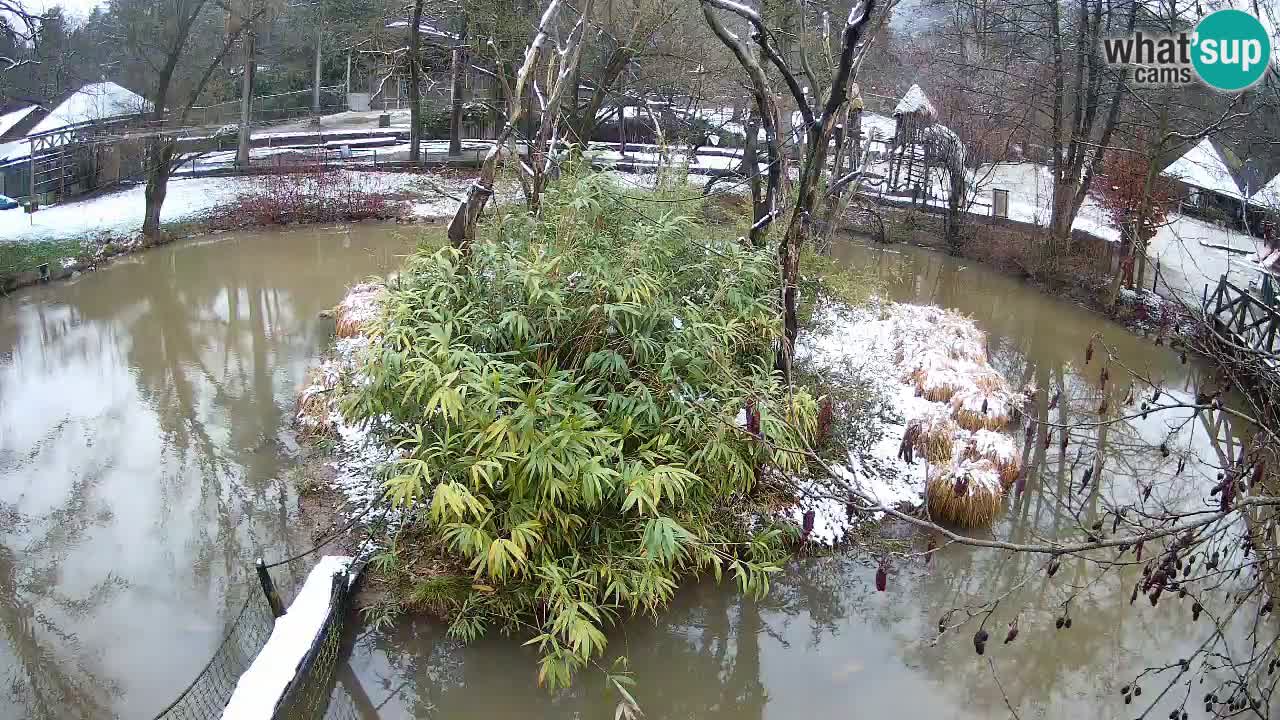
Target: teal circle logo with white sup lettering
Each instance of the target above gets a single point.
(1232, 51)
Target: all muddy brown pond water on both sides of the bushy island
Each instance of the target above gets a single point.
(145, 463)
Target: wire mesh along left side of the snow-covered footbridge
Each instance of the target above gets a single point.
(207, 696)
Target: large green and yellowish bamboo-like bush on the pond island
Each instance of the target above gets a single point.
(566, 400)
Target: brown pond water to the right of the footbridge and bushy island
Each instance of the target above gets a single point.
(825, 644)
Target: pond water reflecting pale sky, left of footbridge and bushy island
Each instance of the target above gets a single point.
(143, 459)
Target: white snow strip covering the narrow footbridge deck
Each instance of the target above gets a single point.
(259, 690)
